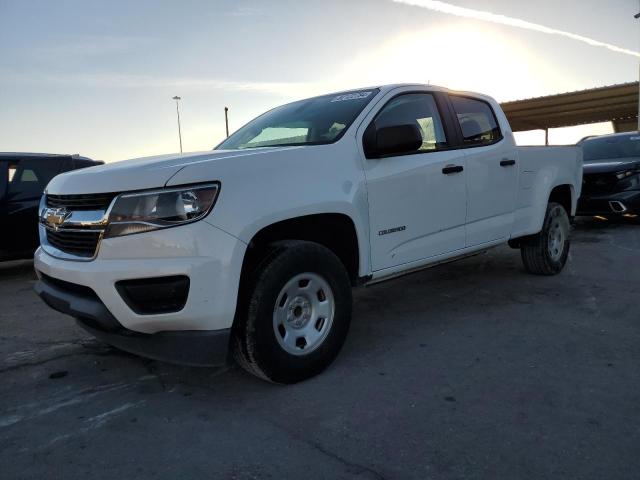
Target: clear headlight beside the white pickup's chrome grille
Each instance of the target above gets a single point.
(144, 211)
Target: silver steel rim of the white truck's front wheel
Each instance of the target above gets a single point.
(303, 313)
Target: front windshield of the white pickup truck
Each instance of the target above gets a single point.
(315, 121)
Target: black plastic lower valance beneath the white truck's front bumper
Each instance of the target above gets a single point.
(197, 348)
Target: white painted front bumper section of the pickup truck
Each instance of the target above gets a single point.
(208, 256)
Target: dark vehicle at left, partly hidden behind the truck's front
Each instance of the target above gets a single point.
(23, 178)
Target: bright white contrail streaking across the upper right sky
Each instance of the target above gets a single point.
(443, 7)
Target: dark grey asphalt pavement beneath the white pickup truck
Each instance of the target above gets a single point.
(470, 370)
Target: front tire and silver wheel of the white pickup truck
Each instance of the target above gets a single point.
(296, 315)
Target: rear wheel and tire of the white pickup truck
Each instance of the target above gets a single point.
(546, 253)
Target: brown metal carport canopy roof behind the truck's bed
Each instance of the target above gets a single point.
(615, 103)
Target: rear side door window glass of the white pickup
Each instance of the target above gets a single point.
(477, 121)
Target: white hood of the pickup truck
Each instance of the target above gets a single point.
(141, 173)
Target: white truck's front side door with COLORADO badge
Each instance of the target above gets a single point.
(417, 201)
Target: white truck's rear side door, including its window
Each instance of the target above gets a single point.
(491, 170)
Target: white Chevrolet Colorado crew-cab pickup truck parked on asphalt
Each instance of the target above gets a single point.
(252, 249)
